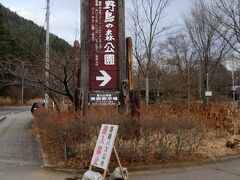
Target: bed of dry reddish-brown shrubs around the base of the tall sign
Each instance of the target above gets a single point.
(164, 133)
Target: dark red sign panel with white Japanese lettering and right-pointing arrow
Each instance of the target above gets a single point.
(103, 45)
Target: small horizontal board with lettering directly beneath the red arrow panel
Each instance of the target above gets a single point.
(103, 98)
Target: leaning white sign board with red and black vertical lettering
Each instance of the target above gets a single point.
(104, 146)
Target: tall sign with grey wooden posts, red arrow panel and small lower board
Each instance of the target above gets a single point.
(103, 51)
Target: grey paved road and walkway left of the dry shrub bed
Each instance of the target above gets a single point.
(19, 152)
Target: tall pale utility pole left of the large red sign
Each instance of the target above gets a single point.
(47, 54)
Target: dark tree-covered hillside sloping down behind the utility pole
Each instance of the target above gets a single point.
(22, 39)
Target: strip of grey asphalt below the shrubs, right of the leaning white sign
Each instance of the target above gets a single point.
(219, 171)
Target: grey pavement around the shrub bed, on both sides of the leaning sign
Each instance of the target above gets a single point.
(20, 159)
